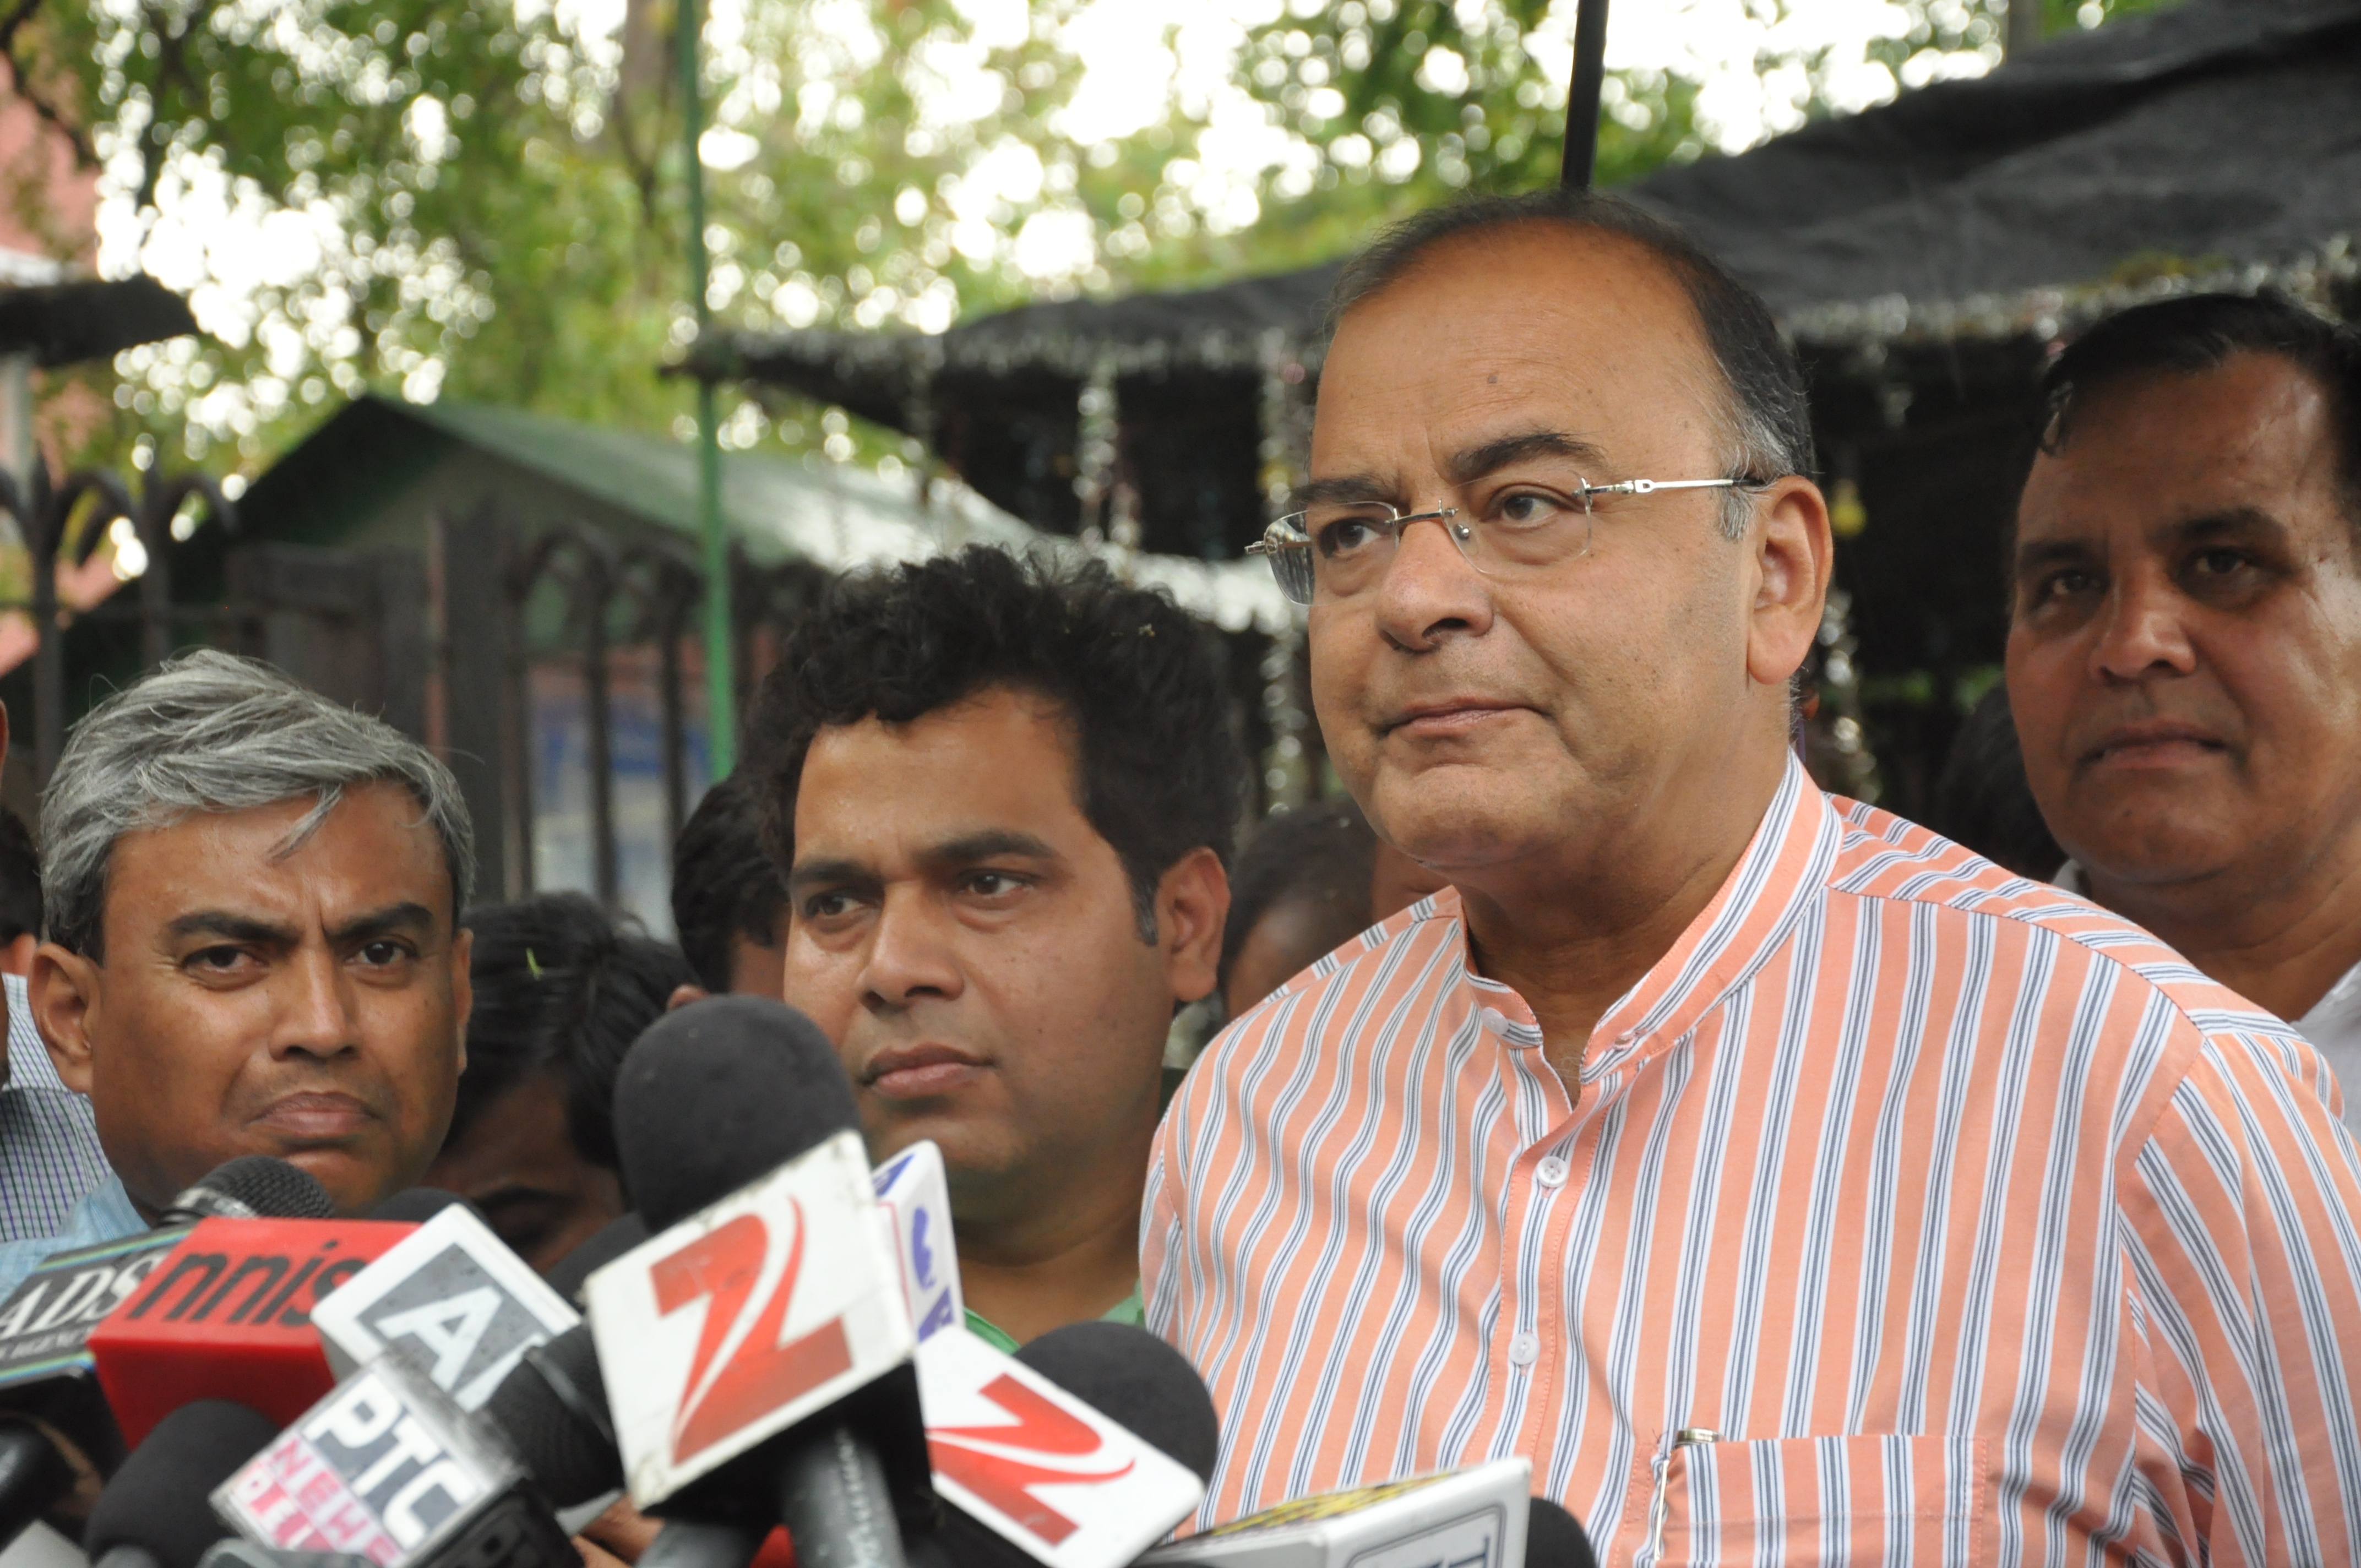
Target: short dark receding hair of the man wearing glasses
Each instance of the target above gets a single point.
(1770, 422)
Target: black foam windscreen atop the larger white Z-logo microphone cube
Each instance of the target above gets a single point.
(719, 1095)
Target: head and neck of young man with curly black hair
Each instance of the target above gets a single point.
(1002, 795)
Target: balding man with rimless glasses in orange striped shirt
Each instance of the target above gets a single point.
(1786, 1182)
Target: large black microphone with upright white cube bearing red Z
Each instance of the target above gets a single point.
(757, 1350)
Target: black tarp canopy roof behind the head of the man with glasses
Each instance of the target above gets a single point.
(2218, 136)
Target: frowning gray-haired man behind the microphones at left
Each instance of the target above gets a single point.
(254, 941)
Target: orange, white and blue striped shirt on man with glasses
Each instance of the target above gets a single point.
(1911, 1213)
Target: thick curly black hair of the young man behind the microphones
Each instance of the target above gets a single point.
(1158, 764)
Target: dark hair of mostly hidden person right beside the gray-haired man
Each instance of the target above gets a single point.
(561, 986)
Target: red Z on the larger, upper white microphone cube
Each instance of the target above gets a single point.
(759, 1373)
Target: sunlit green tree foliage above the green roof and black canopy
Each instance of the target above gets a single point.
(485, 197)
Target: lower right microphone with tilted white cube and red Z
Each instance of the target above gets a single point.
(1073, 1453)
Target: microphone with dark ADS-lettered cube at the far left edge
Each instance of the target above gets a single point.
(55, 1425)
